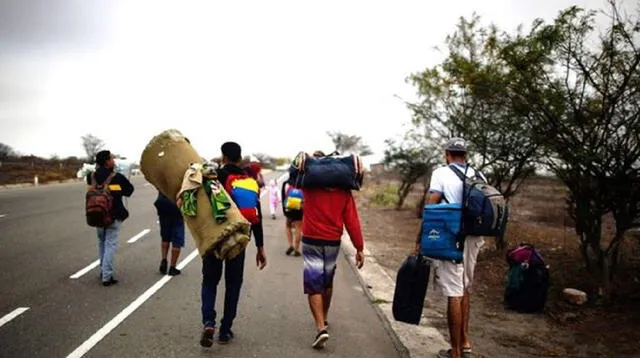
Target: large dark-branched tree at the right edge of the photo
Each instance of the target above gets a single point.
(585, 103)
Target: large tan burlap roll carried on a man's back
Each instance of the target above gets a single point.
(164, 162)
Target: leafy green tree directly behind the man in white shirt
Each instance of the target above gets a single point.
(466, 96)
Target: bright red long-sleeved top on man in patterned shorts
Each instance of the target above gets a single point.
(327, 212)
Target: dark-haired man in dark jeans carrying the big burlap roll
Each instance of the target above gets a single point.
(233, 268)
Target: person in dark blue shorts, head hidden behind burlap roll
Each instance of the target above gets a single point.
(171, 233)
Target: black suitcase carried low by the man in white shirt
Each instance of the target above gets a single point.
(411, 289)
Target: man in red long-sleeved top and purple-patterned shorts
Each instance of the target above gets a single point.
(326, 212)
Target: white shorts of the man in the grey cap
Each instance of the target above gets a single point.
(454, 279)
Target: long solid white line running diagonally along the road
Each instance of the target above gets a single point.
(120, 317)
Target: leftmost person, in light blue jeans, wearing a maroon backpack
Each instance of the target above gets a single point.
(118, 186)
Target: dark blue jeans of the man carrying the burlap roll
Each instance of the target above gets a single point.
(211, 274)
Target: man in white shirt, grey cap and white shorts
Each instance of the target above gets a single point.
(455, 280)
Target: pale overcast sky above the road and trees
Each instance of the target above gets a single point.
(272, 75)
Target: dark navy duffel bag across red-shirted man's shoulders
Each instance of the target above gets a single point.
(332, 171)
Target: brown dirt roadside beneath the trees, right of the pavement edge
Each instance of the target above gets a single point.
(561, 330)
